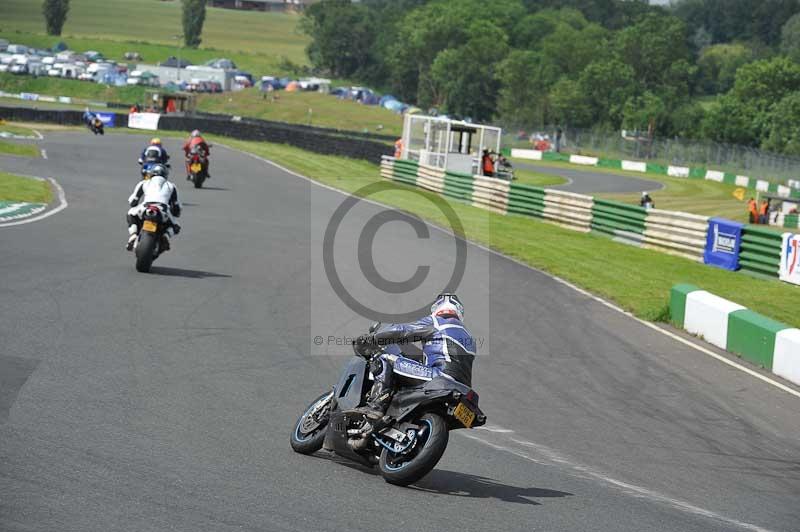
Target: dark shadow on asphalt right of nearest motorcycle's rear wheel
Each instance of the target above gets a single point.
(465, 485)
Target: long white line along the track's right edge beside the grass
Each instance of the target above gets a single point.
(564, 282)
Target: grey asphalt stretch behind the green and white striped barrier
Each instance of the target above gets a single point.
(587, 182)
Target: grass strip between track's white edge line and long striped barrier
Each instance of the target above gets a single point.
(637, 279)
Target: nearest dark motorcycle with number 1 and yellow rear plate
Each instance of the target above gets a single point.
(406, 448)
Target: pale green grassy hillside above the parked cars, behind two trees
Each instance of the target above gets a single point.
(256, 41)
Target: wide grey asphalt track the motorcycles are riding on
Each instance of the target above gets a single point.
(164, 401)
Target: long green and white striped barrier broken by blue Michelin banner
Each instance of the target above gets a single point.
(677, 233)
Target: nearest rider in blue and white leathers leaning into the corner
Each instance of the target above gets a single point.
(448, 348)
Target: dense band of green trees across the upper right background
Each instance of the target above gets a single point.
(605, 64)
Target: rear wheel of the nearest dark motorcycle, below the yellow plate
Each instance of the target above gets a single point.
(406, 468)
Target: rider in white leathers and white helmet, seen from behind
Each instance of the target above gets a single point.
(154, 188)
